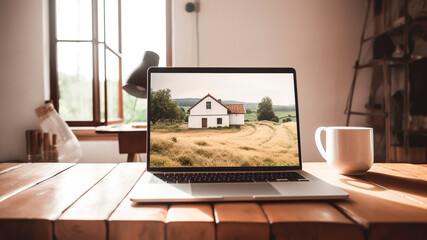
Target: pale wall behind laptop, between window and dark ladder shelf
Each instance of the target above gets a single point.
(320, 39)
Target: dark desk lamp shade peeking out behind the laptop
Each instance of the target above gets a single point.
(136, 85)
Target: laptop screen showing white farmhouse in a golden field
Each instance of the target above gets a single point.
(222, 119)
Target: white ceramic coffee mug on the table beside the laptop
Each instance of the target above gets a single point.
(349, 150)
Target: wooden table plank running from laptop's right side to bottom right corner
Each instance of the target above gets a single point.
(385, 214)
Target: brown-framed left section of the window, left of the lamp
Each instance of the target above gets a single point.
(86, 61)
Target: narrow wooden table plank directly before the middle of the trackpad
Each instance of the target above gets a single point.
(243, 221)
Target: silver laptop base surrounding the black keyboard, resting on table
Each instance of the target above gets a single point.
(313, 189)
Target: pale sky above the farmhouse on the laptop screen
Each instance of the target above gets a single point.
(249, 88)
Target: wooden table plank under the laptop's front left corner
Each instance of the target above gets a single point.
(133, 221)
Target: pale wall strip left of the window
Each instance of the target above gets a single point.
(23, 72)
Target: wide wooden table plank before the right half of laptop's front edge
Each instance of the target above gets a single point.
(310, 220)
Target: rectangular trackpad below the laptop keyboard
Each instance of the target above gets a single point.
(233, 189)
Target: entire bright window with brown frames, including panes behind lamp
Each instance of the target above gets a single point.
(87, 63)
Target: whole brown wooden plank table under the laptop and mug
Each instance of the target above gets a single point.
(90, 201)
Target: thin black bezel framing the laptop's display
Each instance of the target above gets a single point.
(220, 70)
